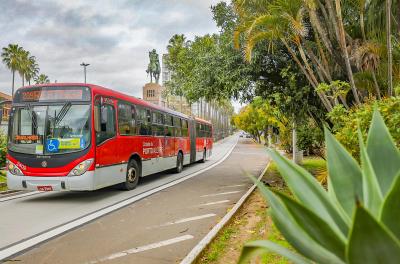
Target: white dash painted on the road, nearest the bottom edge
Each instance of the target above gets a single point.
(143, 248)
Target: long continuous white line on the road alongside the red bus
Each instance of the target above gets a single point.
(30, 242)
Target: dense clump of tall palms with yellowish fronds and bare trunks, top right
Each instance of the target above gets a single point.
(328, 40)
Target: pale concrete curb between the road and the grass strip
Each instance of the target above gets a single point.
(199, 248)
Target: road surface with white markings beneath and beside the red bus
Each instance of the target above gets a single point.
(153, 226)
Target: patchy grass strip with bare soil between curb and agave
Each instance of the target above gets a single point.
(253, 222)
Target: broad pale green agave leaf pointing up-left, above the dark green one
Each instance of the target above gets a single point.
(309, 192)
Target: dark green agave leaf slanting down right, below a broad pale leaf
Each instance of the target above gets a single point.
(315, 227)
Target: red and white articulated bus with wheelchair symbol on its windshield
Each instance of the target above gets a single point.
(86, 137)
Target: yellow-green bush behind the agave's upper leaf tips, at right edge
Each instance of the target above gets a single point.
(346, 122)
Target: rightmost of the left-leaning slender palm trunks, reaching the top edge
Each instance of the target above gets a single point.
(342, 42)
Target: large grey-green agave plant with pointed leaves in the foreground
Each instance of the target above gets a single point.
(356, 221)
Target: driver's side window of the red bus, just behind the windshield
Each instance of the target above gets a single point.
(106, 127)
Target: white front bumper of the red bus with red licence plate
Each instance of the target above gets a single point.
(84, 182)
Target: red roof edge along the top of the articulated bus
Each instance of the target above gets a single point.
(119, 95)
